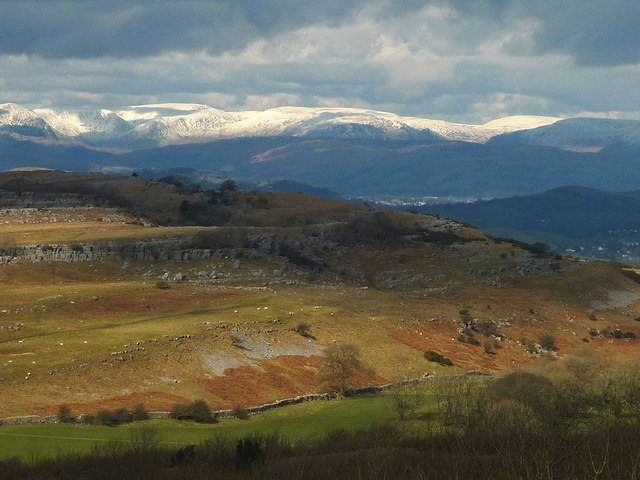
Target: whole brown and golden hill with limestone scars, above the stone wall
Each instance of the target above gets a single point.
(109, 301)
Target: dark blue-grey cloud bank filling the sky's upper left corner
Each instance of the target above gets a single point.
(85, 29)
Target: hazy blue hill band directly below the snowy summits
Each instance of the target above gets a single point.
(360, 167)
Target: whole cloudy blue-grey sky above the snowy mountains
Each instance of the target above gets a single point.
(459, 60)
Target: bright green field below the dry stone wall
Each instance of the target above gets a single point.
(30, 442)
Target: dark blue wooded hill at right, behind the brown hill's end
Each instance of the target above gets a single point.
(577, 220)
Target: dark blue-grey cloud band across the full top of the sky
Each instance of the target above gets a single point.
(593, 32)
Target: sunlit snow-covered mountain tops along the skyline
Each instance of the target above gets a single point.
(146, 126)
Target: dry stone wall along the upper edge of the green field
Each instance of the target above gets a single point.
(27, 419)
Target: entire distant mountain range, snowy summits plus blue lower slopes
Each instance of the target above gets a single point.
(354, 152)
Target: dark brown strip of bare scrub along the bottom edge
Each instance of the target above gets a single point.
(387, 452)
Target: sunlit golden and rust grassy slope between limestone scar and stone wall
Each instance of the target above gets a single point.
(397, 321)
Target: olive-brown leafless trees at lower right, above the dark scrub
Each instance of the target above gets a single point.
(557, 393)
